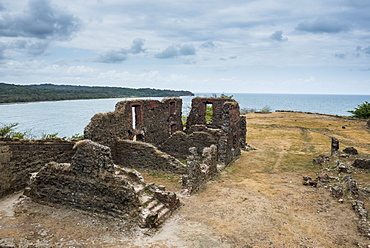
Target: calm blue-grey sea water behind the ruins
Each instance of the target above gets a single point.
(70, 117)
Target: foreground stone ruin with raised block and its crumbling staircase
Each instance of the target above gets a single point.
(93, 183)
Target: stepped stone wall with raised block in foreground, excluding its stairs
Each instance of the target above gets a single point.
(88, 183)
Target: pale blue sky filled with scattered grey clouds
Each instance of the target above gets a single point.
(251, 46)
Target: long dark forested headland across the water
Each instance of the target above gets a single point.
(10, 93)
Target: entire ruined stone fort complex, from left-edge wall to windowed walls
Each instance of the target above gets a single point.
(98, 174)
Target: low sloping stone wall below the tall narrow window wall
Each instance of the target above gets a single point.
(135, 154)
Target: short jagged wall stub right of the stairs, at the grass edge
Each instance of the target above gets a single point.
(200, 168)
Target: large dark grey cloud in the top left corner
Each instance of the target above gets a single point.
(39, 20)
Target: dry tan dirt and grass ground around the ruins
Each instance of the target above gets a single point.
(258, 201)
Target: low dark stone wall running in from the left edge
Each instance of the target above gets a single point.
(20, 158)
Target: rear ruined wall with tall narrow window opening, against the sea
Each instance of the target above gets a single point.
(151, 121)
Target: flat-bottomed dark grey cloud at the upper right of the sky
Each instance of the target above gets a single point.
(322, 25)
